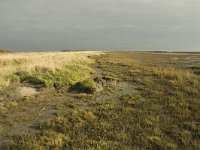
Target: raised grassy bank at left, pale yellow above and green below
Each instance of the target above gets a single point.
(47, 68)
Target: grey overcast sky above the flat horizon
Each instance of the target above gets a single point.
(100, 24)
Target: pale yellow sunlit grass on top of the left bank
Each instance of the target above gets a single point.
(11, 63)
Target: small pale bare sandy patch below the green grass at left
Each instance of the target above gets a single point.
(27, 91)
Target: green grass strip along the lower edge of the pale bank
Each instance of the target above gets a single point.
(69, 74)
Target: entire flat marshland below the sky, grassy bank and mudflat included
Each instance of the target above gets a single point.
(95, 100)
